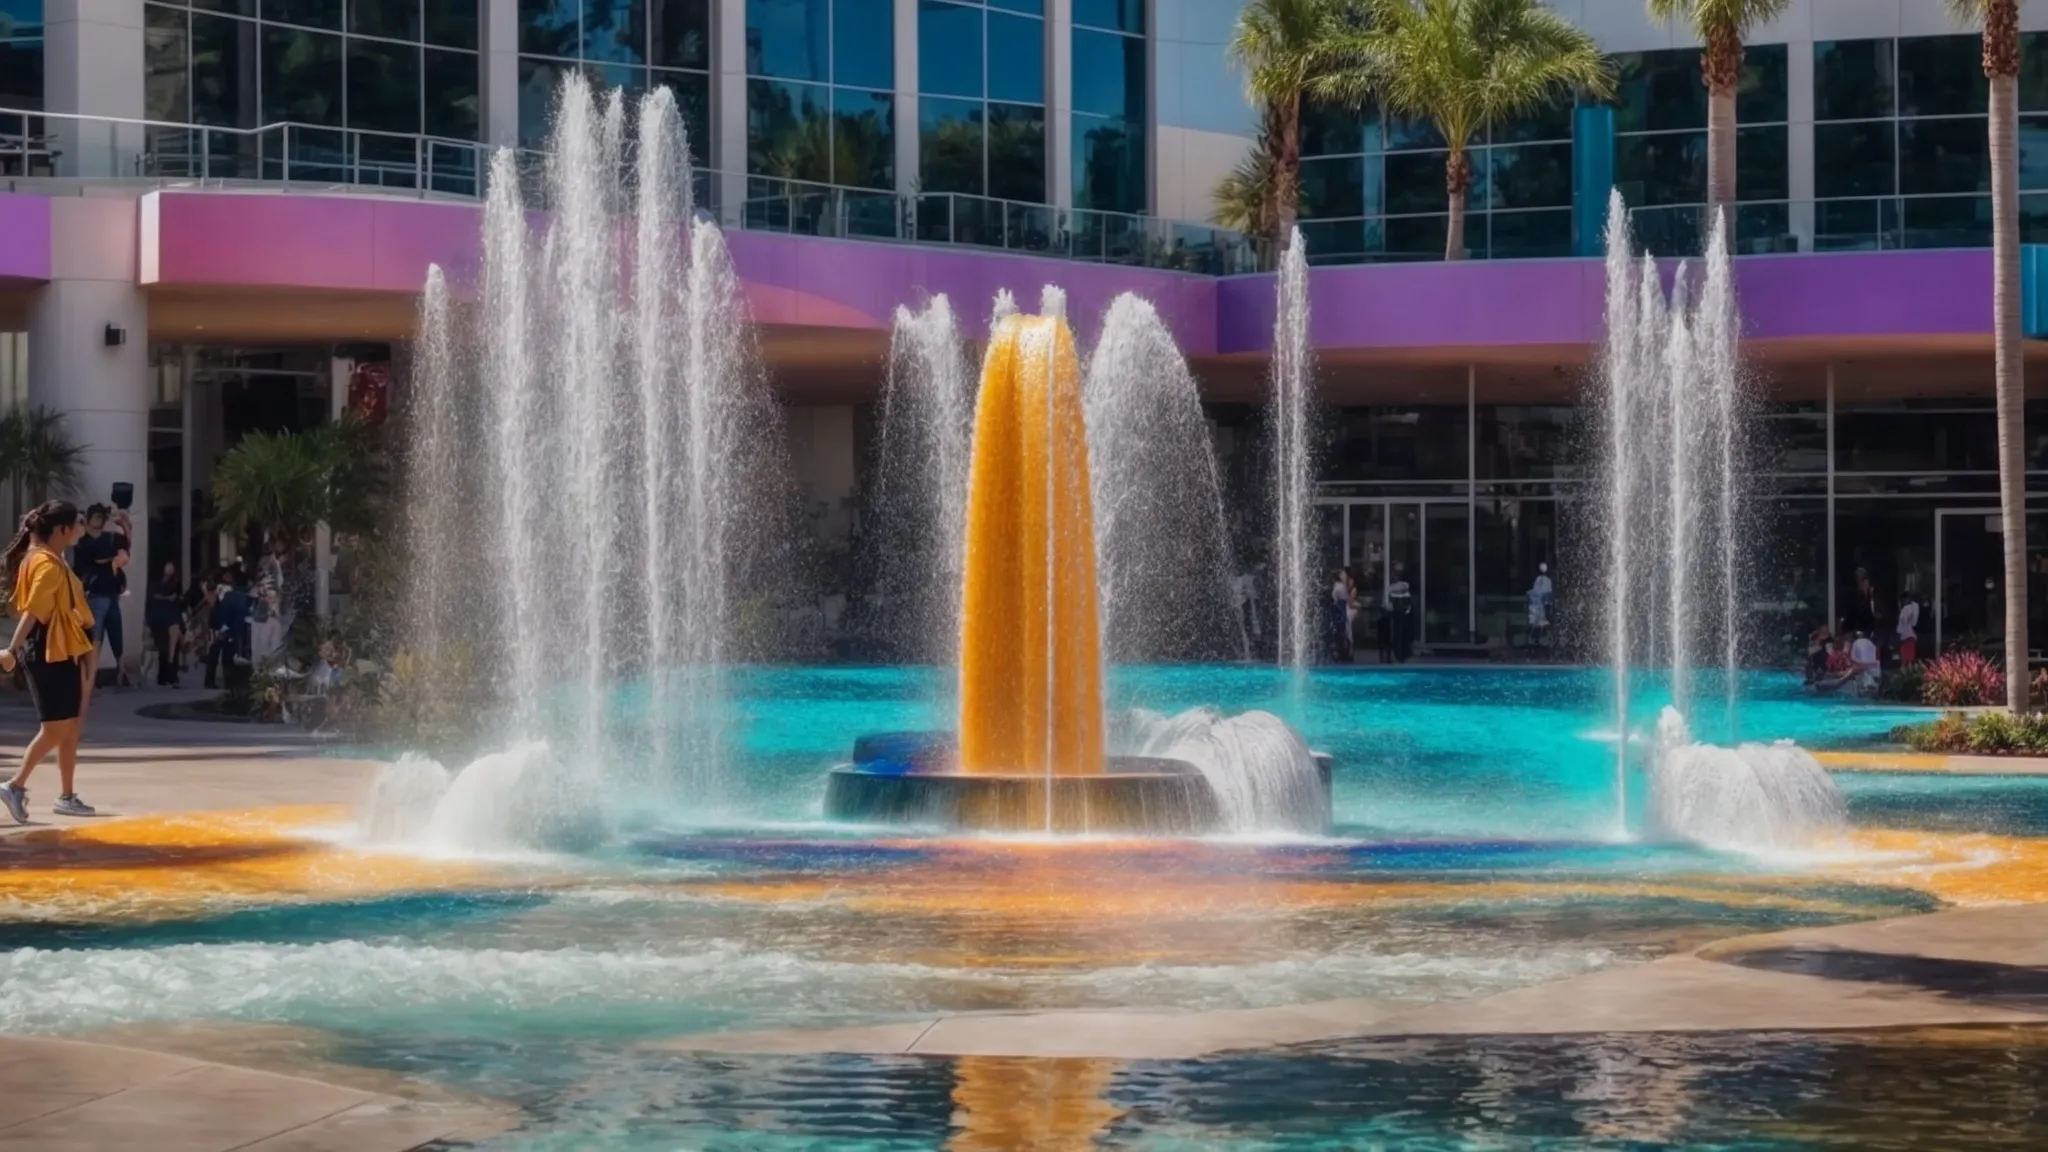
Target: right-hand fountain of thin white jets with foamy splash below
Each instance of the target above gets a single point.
(1674, 405)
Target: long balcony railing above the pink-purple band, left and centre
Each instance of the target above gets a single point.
(294, 157)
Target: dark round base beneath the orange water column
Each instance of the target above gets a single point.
(906, 778)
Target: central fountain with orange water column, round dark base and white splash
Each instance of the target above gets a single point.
(1031, 751)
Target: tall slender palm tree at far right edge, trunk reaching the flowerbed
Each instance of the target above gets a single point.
(2002, 71)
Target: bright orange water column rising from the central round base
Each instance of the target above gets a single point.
(1031, 653)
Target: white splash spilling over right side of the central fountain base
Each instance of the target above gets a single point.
(1265, 776)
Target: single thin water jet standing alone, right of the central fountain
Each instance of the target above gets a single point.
(1291, 446)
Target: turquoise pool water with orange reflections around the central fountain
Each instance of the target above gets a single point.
(1474, 854)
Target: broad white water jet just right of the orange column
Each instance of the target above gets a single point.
(1158, 499)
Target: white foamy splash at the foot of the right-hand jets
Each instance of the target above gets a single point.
(1750, 796)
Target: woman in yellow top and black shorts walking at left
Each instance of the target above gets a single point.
(52, 647)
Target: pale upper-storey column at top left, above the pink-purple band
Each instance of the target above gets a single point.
(93, 67)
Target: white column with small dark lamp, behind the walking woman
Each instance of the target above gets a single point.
(89, 360)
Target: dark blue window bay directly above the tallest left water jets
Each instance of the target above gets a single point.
(620, 44)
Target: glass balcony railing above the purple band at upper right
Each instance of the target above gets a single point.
(1850, 224)
